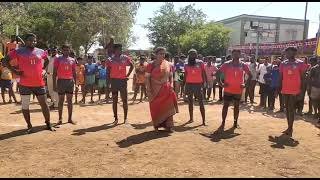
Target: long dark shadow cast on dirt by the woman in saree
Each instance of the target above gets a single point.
(141, 138)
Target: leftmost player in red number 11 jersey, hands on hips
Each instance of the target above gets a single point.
(30, 62)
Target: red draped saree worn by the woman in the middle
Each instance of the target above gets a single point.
(163, 101)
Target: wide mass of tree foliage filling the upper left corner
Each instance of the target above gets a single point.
(77, 23)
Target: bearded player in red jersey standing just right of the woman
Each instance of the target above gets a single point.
(195, 78)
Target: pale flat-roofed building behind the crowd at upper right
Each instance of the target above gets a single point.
(274, 29)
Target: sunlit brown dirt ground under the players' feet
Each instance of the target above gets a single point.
(96, 148)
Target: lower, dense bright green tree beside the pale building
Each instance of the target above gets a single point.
(210, 39)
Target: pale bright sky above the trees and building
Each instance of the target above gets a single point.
(220, 10)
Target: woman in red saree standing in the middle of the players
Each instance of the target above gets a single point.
(162, 98)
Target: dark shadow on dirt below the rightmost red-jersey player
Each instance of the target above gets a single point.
(281, 141)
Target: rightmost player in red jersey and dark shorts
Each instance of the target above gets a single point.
(291, 74)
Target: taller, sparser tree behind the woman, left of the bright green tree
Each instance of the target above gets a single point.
(168, 25)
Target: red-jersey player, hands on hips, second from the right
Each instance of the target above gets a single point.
(233, 85)
